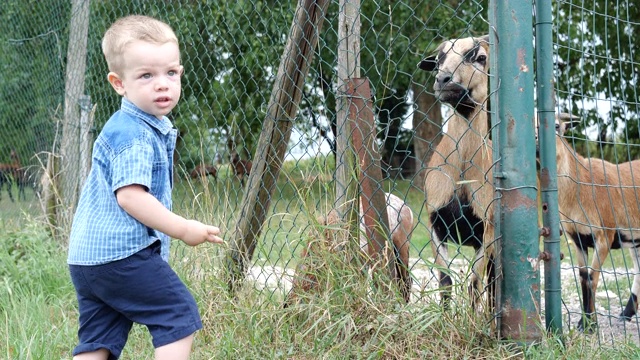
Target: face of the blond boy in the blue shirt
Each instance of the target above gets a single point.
(150, 77)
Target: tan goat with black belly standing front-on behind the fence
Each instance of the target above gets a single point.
(458, 180)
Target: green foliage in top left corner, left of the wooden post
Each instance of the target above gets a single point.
(33, 41)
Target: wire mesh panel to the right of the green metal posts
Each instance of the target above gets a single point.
(596, 76)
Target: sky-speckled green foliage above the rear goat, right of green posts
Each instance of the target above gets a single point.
(598, 73)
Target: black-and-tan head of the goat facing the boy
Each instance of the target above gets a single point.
(462, 67)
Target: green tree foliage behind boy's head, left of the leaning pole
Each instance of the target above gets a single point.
(229, 54)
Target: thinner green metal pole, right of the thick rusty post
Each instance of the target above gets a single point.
(548, 174)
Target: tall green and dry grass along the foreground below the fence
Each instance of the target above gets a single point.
(345, 320)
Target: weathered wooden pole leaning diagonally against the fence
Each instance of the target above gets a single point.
(276, 131)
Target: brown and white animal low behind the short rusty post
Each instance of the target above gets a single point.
(400, 224)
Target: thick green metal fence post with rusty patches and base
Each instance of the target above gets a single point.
(515, 175)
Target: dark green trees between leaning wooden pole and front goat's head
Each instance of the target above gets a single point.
(396, 35)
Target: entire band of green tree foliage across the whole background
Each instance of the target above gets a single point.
(231, 51)
